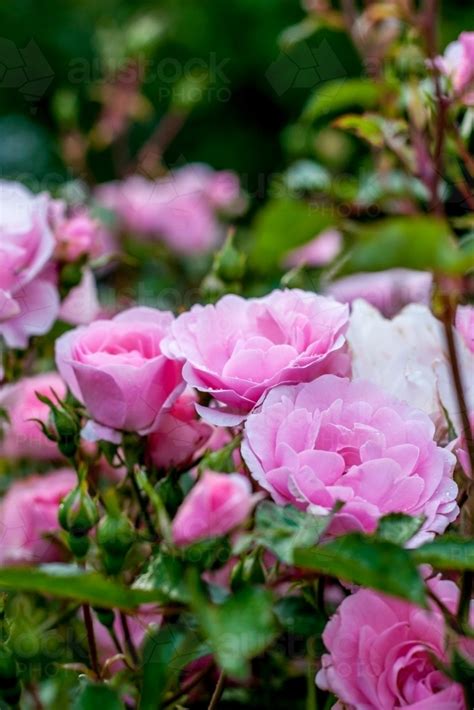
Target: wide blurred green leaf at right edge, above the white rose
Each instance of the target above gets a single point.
(420, 242)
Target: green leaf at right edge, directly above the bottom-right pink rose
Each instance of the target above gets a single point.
(449, 552)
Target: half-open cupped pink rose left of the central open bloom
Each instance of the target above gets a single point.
(117, 370)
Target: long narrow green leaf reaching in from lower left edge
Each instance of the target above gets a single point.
(70, 582)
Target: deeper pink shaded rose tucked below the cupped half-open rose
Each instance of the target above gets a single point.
(180, 434)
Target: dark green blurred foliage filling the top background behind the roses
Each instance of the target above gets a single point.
(230, 67)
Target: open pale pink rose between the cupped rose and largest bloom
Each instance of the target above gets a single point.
(238, 349)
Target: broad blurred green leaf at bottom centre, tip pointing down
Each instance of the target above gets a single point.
(237, 630)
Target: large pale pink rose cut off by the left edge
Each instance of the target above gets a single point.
(29, 300)
